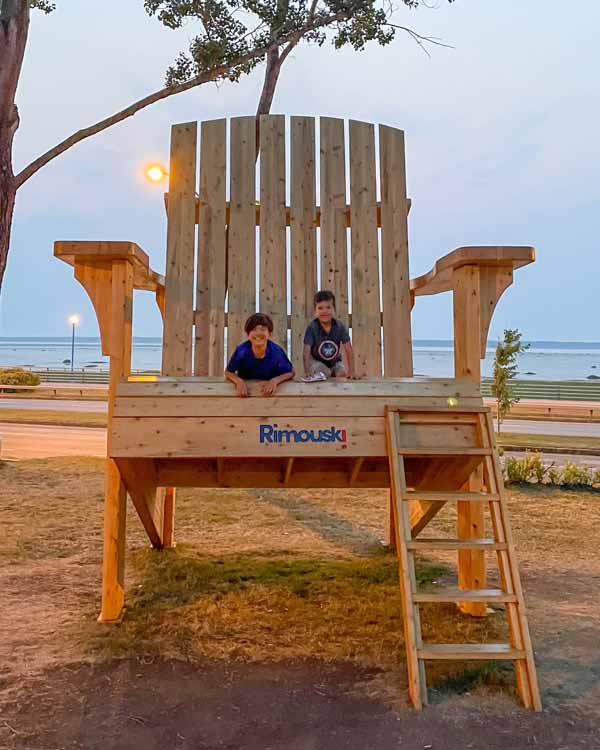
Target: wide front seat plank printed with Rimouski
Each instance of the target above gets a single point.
(218, 437)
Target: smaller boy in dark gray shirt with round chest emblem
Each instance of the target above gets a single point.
(327, 348)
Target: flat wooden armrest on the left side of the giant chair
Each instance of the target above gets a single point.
(102, 255)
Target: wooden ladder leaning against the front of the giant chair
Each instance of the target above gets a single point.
(511, 594)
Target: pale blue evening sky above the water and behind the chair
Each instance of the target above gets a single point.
(502, 148)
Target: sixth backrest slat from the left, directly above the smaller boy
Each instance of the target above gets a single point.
(334, 260)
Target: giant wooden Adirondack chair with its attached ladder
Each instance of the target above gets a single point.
(429, 440)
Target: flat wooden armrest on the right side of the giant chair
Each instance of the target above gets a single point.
(440, 278)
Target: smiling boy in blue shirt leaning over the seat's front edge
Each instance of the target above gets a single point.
(259, 358)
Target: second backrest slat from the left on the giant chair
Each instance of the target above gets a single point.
(210, 287)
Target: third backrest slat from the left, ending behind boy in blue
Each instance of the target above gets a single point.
(242, 226)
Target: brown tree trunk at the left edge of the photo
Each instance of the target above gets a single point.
(14, 28)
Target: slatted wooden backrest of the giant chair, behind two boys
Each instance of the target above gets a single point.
(372, 279)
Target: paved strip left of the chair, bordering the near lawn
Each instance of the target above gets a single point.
(41, 441)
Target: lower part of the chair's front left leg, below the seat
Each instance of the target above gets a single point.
(113, 565)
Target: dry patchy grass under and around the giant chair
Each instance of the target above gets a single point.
(259, 575)
